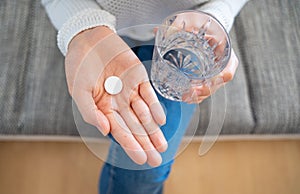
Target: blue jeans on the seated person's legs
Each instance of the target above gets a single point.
(120, 175)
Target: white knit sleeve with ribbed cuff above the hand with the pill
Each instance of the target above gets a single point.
(70, 17)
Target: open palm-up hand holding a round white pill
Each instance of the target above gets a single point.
(133, 116)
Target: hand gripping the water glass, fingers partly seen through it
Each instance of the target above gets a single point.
(193, 22)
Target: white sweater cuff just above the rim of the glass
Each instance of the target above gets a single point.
(221, 11)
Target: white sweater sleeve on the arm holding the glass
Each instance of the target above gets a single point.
(224, 10)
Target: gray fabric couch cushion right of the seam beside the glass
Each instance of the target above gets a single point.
(268, 33)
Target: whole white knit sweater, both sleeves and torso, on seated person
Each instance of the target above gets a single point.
(73, 16)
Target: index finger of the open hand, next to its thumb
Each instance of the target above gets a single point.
(124, 137)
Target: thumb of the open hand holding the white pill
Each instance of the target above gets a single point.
(90, 112)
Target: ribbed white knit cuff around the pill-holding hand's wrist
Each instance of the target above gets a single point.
(83, 20)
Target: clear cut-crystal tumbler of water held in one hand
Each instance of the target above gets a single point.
(191, 48)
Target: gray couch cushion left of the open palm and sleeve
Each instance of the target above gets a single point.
(33, 95)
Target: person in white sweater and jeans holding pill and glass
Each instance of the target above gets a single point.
(145, 139)
